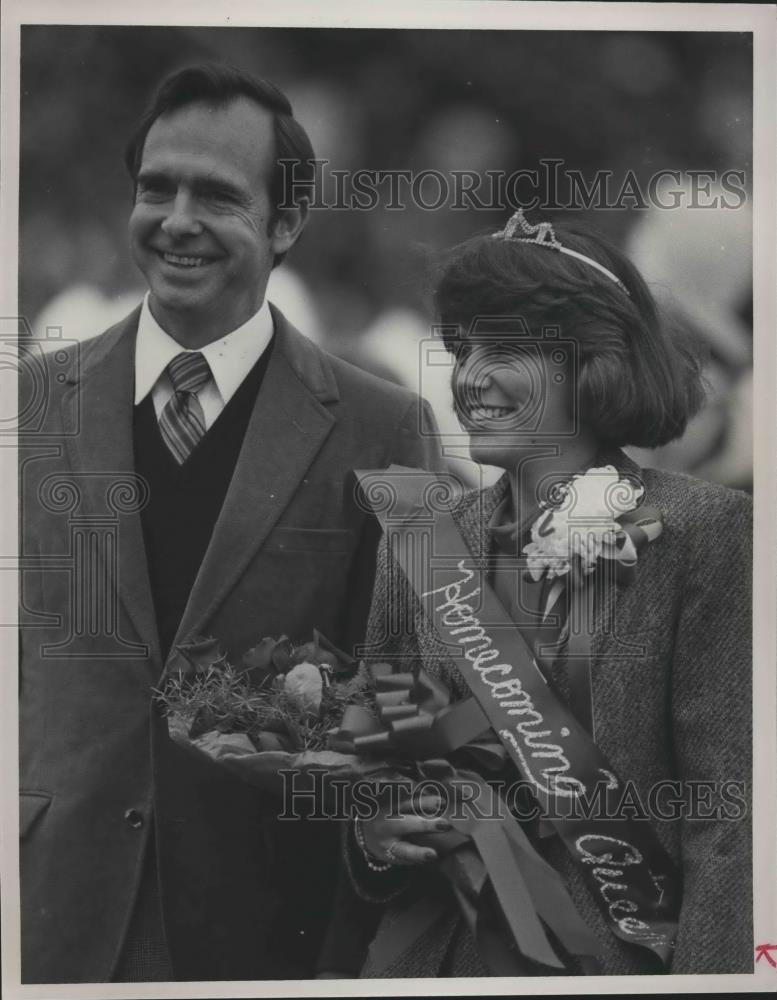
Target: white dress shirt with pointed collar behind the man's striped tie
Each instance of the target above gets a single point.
(230, 359)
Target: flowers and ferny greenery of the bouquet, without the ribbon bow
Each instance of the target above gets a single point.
(272, 712)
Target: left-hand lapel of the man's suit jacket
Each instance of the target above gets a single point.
(100, 407)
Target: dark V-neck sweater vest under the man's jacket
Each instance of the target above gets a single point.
(185, 500)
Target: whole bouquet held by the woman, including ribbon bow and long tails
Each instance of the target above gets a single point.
(310, 708)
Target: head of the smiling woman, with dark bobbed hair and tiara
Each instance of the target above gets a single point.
(569, 339)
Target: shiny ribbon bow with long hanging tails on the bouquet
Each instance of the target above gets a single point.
(417, 722)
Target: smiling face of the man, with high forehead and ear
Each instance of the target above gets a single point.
(200, 231)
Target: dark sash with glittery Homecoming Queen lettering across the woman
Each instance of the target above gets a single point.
(623, 863)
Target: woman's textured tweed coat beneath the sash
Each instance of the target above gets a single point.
(682, 711)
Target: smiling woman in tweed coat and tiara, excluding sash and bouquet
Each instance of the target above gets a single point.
(560, 361)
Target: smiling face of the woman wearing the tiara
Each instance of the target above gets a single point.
(511, 397)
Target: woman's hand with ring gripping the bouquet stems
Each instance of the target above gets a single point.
(389, 837)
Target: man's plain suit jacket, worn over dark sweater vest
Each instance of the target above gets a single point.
(290, 551)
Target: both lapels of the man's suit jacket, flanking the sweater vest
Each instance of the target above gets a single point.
(286, 430)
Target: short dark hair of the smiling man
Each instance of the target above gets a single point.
(217, 85)
